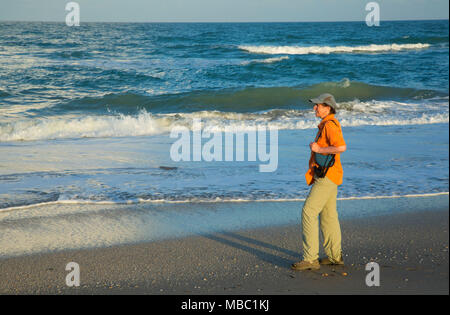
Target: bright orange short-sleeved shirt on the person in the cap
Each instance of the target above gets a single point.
(331, 136)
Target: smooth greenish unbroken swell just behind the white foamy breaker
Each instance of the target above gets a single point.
(250, 99)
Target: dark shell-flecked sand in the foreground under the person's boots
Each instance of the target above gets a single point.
(411, 249)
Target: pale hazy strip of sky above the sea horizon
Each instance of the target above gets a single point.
(221, 10)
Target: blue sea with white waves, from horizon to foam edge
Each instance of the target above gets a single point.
(86, 112)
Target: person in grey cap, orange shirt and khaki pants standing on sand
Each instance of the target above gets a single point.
(321, 200)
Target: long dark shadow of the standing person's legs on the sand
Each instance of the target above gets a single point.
(250, 245)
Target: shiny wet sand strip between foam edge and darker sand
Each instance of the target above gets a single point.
(56, 228)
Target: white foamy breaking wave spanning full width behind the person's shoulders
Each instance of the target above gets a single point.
(355, 113)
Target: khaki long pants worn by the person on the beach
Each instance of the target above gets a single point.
(321, 202)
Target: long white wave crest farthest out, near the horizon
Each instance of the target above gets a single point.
(299, 50)
